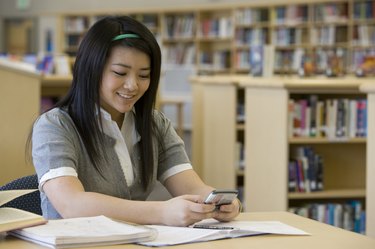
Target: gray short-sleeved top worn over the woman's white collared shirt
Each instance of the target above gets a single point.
(56, 143)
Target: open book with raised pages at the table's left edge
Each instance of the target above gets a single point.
(12, 218)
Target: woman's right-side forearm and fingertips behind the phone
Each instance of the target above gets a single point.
(188, 182)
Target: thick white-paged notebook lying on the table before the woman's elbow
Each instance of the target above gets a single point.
(84, 232)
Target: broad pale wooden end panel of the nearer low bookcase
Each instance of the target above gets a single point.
(266, 149)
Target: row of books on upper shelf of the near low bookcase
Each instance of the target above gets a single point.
(337, 118)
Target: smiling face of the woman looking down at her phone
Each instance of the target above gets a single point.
(126, 78)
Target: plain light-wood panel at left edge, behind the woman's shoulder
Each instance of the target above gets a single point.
(19, 106)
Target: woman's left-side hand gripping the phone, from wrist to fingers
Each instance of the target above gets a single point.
(185, 210)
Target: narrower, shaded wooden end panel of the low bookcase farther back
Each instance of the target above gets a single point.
(219, 135)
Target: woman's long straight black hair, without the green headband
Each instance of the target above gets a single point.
(83, 96)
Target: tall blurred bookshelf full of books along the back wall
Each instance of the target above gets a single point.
(218, 38)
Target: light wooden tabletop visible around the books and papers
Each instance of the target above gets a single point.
(322, 236)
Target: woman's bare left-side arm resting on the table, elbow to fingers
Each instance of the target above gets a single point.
(70, 199)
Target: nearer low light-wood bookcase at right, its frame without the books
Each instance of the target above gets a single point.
(343, 158)
